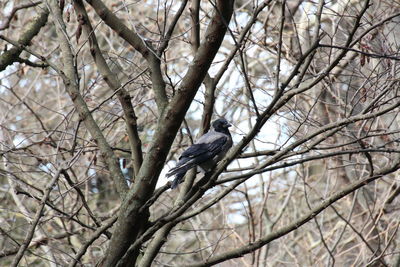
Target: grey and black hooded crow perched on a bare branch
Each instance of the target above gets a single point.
(205, 153)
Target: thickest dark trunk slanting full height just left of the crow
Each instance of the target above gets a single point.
(130, 221)
